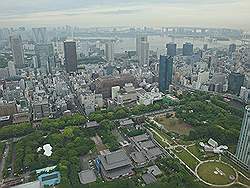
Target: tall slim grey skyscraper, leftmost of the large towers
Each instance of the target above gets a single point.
(17, 50)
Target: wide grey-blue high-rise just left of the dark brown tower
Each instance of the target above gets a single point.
(43, 53)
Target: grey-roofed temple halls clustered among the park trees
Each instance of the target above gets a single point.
(135, 152)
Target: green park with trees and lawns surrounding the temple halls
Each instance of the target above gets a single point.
(197, 117)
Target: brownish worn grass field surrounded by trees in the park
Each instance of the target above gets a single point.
(174, 125)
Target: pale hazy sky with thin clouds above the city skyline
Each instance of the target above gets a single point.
(87, 13)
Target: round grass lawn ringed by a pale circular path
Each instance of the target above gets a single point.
(206, 171)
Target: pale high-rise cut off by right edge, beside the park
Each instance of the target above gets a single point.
(243, 147)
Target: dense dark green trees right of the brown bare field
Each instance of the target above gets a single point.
(210, 117)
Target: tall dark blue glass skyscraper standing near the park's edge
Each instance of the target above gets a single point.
(165, 72)
